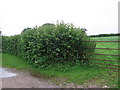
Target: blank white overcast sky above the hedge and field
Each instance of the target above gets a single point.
(97, 16)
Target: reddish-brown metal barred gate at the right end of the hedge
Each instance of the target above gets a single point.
(107, 64)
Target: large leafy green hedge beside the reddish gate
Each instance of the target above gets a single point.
(51, 44)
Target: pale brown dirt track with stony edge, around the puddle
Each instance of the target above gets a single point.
(26, 80)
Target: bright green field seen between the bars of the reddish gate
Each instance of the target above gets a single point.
(113, 45)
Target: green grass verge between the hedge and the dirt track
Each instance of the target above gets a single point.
(78, 75)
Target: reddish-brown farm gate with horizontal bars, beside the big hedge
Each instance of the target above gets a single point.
(106, 53)
